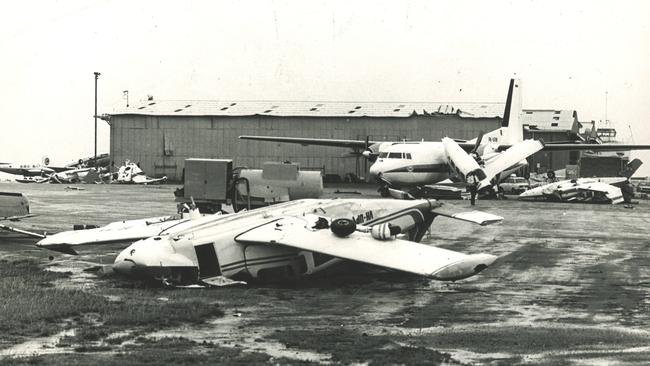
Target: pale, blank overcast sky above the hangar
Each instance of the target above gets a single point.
(591, 56)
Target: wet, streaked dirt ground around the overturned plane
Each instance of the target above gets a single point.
(571, 286)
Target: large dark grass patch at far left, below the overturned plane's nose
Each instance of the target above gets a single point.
(30, 306)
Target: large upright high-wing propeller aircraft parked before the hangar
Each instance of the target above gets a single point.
(480, 162)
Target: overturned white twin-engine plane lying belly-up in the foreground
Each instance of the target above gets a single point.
(292, 239)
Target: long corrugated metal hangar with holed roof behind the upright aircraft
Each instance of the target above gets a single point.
(161, 134)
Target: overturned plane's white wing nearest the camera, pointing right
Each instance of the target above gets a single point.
(396, 254)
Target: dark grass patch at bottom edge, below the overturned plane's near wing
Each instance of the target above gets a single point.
(349, 347)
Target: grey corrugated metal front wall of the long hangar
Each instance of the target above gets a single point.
(161, 143)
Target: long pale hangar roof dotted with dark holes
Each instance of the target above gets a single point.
(308, 109)
